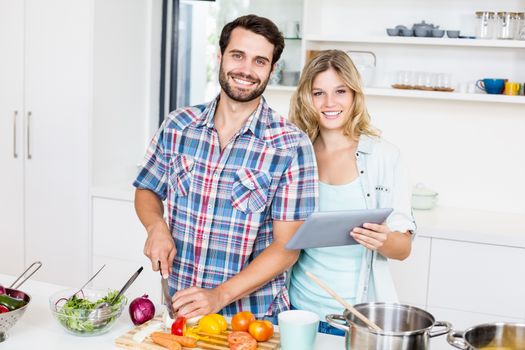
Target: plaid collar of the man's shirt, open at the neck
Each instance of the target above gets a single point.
(255, 122)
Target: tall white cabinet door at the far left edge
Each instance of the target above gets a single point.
(11, 132)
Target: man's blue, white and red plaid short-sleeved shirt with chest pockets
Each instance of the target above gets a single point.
(221, 204)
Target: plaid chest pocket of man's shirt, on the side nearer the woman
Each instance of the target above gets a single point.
(250, 190)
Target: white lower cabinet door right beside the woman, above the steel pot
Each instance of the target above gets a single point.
(411, 275)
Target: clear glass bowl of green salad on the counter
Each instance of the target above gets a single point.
(78, 319)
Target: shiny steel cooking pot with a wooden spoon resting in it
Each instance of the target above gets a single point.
(403, 327)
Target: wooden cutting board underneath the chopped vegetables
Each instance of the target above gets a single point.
(209, 341)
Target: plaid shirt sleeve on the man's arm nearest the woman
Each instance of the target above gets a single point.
(297, 193)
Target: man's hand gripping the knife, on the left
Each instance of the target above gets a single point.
(160, 247)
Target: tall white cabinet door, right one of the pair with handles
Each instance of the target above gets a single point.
(58, 94)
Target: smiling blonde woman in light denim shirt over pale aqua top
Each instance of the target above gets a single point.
(357, 170)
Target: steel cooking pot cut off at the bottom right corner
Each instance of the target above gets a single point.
(494, 336)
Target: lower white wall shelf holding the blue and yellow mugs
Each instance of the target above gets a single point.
(432, 95)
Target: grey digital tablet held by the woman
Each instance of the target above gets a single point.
(332, 228)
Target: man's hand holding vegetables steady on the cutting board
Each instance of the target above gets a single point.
(195, 301)
